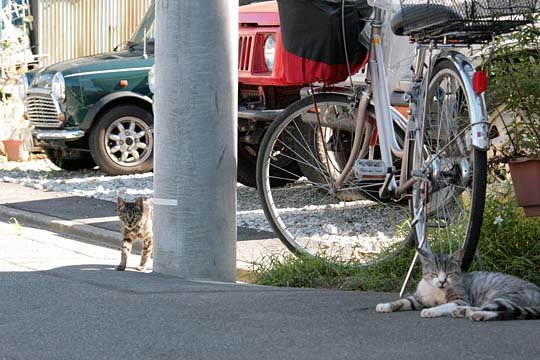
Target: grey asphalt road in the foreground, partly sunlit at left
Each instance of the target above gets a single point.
(61, 299)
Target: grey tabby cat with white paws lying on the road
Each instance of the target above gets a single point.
(445, 291)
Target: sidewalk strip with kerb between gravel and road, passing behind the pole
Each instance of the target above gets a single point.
(95, 221)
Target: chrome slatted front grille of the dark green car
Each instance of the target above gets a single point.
(42, 110)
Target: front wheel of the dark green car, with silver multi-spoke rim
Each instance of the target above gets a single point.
(122, 140)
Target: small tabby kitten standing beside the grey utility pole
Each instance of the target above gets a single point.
(136, 218)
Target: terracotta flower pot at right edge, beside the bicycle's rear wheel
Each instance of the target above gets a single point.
(526, 178)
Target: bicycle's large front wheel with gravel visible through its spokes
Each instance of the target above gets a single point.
(309, 215)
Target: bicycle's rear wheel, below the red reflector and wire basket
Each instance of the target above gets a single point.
(451, 199)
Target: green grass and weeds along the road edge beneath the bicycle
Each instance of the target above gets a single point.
(510, 243)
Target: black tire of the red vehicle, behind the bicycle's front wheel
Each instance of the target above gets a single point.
(247, 167)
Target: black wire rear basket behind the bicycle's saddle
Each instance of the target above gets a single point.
(464, 20)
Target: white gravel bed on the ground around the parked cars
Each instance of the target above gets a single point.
(312, 222)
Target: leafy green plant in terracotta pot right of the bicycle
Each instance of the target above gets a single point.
(515, 100)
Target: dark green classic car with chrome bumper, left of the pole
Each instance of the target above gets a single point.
(97, 110)
